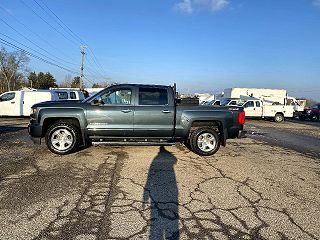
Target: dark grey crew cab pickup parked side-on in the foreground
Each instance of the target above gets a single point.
(134, 114)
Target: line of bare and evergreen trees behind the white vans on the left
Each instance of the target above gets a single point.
(15, 74)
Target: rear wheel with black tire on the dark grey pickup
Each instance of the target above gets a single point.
(200, 132)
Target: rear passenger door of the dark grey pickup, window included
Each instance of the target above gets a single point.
(154, 113)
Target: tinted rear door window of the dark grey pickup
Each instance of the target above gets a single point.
(153, 96)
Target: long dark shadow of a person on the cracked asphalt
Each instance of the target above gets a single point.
(162, 191)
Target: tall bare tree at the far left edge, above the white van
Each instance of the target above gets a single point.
(12, 69)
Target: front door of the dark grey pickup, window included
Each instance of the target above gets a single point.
(113, 117)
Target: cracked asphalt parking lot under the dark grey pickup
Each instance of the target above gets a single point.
(266, 186)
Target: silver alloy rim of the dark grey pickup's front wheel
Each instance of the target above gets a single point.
(62, 139)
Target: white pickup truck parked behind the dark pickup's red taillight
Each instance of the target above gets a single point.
(257, 109)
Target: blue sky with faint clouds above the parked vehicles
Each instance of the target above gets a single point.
(202, 45)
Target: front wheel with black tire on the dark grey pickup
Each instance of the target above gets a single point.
(70, 135)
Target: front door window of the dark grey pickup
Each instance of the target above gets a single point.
(119, 96)
